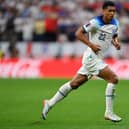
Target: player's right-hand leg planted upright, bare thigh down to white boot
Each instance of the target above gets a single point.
(112, 79)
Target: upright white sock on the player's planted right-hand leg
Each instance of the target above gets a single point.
(110, 89)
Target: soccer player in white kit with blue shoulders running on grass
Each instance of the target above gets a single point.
(102, 31)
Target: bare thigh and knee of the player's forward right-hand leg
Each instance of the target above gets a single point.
(108, 75)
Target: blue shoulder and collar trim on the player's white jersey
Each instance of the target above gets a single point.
(100, 21)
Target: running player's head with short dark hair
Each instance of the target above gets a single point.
(109, 9)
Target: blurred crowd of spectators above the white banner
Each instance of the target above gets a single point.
(53, 20)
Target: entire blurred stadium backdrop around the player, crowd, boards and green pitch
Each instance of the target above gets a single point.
(39, 52)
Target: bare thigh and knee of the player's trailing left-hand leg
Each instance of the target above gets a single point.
(78, 80)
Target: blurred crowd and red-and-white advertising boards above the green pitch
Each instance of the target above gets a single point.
(41, 32)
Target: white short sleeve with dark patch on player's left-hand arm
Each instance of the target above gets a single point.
(92, 25)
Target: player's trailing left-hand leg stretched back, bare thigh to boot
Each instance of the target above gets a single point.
(63, 91)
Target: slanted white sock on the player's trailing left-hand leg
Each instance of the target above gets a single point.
(63, 91)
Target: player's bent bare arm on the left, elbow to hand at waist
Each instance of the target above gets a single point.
(81, 35)
